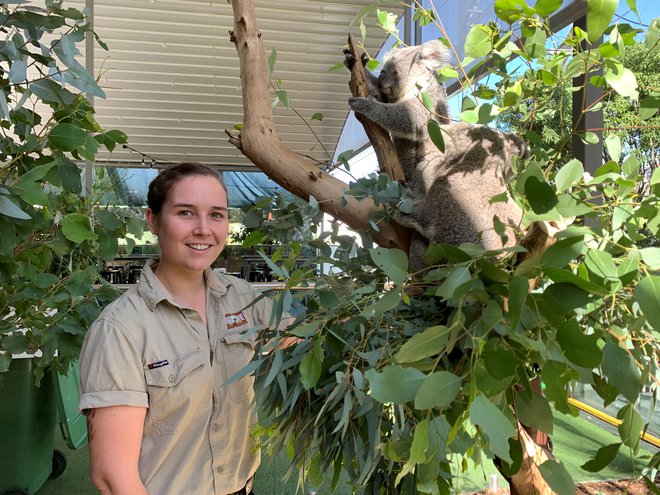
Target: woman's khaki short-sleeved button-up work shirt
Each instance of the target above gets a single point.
(146, 350)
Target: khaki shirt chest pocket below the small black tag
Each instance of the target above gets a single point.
(178, 393)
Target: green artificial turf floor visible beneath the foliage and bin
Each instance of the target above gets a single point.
(574, 439)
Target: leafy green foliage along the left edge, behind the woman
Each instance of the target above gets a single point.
(53, 239)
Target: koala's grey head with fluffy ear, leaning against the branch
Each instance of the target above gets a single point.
(406, 68)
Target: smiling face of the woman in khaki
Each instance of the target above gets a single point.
(192, 225)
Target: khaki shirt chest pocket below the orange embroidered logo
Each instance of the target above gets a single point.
(238, 350)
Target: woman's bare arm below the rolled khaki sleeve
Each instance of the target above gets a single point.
(115, 436)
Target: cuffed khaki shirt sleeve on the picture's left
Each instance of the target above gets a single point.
(111, 368)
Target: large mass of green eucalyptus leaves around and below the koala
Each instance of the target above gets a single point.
(404, 379)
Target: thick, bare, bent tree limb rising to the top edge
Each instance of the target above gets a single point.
(259, 142)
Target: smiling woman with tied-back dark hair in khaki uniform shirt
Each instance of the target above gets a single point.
(154, 364)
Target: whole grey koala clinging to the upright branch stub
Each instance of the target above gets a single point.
(454, 187)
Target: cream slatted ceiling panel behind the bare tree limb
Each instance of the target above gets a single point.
(171, 75)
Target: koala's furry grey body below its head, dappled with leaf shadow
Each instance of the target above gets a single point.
(456, 187)
